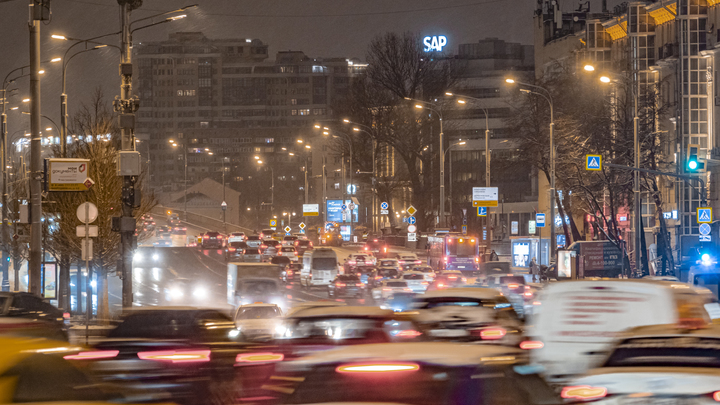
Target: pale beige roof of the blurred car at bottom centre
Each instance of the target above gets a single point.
(438, 353)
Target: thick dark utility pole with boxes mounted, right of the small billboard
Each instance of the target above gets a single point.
(128, 159)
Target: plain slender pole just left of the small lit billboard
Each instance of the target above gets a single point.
(38, 13)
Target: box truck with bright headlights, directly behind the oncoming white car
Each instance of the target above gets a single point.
(249, 283)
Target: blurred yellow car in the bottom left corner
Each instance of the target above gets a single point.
(43, 371)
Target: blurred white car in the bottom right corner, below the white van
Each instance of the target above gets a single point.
(660, 364)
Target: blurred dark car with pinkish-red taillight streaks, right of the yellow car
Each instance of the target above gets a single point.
(183, 355)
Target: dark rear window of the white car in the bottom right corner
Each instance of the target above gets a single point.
(666, 352)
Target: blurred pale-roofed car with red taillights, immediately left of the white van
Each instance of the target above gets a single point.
(468, 314)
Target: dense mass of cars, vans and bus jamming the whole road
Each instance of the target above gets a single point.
(369, 322)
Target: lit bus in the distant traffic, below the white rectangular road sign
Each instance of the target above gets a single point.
(453, 251)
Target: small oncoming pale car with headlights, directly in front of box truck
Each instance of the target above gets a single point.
(258, 321)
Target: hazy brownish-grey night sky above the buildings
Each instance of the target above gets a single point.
(320, 28)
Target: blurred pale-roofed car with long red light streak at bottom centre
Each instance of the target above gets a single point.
(429, 373)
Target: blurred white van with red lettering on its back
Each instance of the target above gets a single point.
(577, 321)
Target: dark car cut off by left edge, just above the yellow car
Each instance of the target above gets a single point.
(27, 314)
